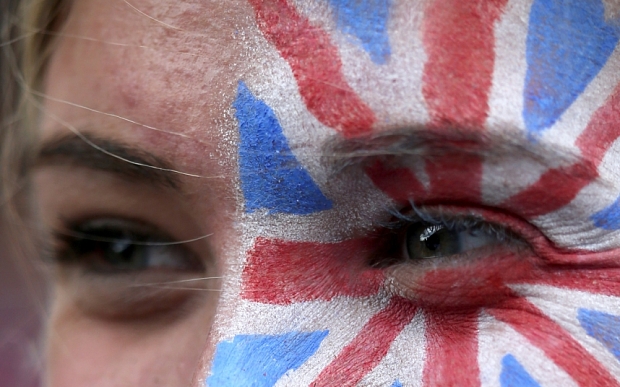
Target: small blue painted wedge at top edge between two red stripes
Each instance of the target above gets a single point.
(366, 20)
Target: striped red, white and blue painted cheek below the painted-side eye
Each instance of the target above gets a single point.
(317, 314)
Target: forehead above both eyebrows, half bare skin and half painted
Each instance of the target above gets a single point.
(354, 66)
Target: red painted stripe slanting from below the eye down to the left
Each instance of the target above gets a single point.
(369, 347)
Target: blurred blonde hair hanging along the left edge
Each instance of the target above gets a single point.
(27, 35)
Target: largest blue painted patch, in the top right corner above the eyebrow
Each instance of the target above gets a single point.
(568, 43)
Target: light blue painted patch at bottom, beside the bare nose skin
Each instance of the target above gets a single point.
(261, 360)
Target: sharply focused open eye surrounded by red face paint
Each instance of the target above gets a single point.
(425, 240)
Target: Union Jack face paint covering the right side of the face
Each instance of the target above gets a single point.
(504, 111)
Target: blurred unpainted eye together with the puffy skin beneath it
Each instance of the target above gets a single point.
(125, 270)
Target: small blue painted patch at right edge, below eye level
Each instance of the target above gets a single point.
(603, 327)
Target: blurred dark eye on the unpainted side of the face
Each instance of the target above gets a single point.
(120, 246)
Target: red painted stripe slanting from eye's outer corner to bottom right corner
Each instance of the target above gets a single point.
(552, 339)
